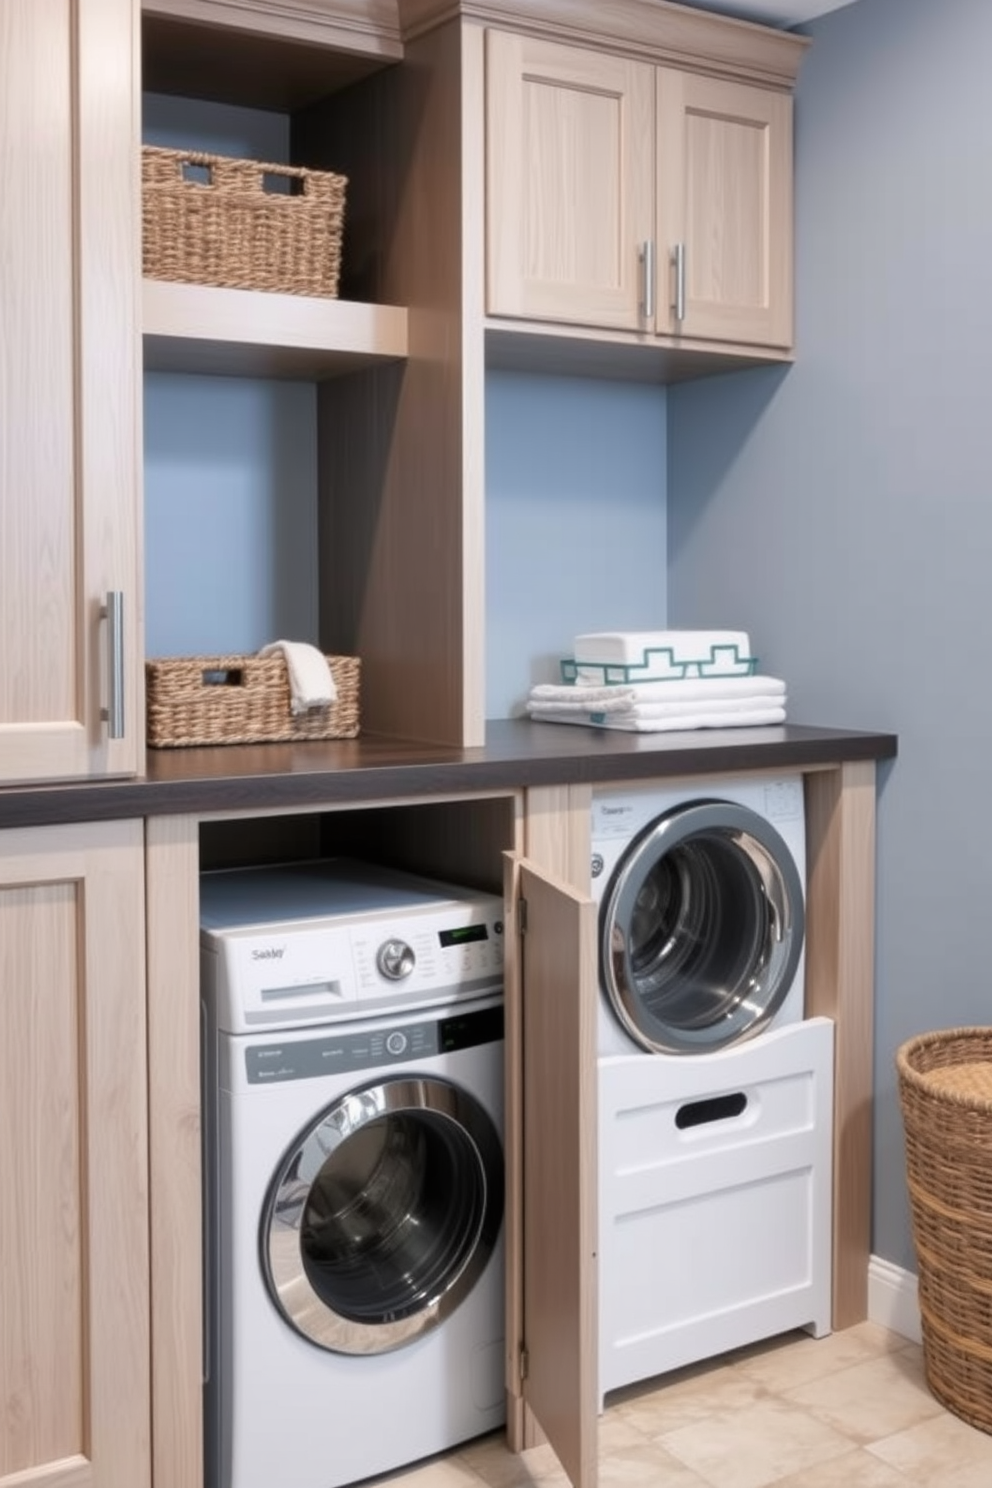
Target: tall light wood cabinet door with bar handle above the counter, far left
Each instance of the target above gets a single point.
(69, 401)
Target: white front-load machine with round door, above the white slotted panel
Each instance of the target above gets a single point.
(701, 897)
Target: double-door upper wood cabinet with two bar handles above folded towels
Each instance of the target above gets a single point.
(637, 199)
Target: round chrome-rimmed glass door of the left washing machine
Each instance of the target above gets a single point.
(384, 1215)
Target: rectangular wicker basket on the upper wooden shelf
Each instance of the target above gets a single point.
(228, 230)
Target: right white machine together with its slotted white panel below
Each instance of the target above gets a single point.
(716, 1093)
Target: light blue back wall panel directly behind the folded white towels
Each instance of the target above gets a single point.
(576, 522)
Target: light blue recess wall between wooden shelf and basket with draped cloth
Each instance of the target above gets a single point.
(230, 514)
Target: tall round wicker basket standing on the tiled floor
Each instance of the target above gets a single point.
(945, 1084)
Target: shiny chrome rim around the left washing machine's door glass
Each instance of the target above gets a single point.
(441, 1106)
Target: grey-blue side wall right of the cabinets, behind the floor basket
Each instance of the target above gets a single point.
(843, 510)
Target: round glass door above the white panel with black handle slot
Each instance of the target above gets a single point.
(701, 929)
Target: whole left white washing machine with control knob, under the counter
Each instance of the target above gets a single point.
(353, 1154)
